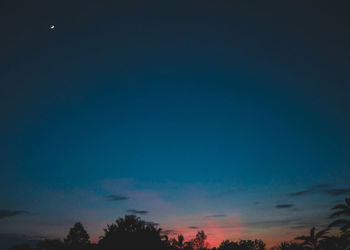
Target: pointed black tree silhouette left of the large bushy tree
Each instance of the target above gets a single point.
(77, 237)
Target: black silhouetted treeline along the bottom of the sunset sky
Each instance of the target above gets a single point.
(132, 233)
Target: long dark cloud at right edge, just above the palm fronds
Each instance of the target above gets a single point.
(324, 189)
